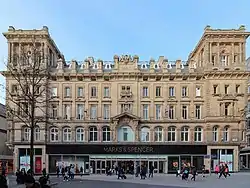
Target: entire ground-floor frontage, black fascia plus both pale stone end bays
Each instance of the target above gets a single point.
(94, 158)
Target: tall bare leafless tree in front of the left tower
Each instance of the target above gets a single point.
(27, 89)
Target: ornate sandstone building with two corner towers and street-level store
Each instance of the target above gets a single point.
(155, 112)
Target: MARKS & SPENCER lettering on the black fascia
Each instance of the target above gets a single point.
(129, 149)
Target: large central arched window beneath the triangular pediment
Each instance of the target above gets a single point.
(125, 134)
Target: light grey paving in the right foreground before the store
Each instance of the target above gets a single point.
(235, 180)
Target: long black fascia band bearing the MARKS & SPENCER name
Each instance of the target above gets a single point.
(124, 149)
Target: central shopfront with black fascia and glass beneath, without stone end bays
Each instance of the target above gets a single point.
(95, 158)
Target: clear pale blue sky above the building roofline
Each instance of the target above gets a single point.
(102, 28)
